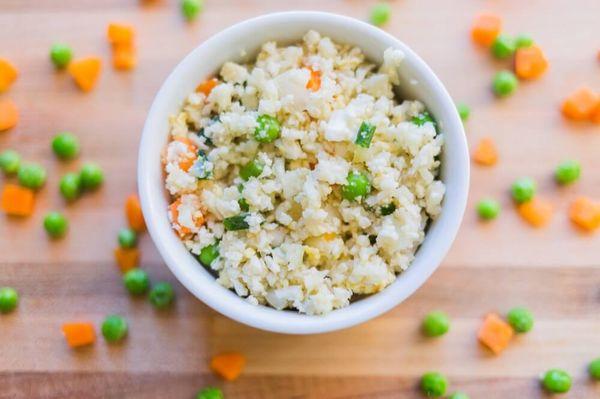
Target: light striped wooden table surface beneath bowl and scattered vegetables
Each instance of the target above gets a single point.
(554, 271)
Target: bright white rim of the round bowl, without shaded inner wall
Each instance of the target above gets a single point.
(266, 318)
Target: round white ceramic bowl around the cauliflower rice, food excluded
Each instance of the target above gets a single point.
(418, 82)
